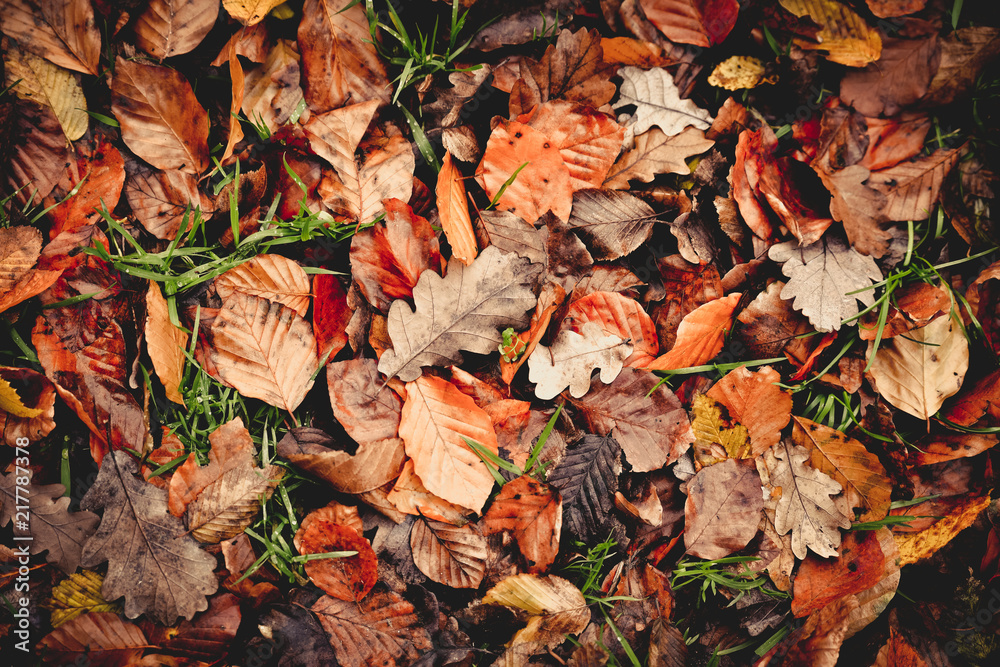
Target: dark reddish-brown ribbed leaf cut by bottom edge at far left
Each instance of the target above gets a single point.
(101, 638)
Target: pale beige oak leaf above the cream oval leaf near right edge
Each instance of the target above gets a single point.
(821, 277)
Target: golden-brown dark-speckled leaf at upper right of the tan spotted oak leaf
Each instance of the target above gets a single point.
(859, 472)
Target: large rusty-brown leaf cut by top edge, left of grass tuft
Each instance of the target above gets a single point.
(338, 60)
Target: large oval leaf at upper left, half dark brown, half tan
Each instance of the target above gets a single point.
(161, 119)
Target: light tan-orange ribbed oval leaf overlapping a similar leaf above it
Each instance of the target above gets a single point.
(264, 349)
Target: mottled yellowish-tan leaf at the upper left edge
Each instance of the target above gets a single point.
(51, 86)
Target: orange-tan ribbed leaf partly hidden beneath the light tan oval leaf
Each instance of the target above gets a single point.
(272, 277)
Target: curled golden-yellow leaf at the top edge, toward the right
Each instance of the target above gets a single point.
(843, 35)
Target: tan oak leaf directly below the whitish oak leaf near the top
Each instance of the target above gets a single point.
(656, 153)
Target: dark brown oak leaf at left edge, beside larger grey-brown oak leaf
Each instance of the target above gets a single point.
(50, 524)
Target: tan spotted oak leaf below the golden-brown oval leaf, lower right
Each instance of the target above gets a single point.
(810, 506)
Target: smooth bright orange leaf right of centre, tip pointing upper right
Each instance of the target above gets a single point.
(700, 335)
